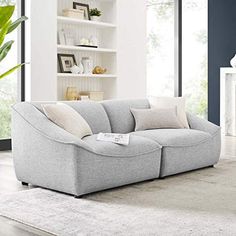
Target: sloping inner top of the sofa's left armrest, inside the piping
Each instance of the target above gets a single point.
(40, 123)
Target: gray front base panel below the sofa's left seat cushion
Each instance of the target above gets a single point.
(100, 172)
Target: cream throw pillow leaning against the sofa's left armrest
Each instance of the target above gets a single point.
(67, 118)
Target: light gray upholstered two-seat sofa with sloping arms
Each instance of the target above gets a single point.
(46, 155)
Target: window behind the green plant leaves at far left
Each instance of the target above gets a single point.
(10, 86)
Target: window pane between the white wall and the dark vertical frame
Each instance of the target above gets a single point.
(160, 66)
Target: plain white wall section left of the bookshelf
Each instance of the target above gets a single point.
(42, 38)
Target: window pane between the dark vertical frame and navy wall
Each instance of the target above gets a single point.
(194, 60)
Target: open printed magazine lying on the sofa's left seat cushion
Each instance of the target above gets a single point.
(114, 138)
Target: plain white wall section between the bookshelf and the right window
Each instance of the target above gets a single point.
(131, 42)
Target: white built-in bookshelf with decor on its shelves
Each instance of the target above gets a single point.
(105, 55)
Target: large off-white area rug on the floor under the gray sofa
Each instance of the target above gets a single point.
(202, 202)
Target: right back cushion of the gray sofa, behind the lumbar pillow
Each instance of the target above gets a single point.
(120, 116)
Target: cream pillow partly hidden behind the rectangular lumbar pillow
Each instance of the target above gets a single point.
(168, 102)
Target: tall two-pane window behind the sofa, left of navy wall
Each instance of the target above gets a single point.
(162, 16)
